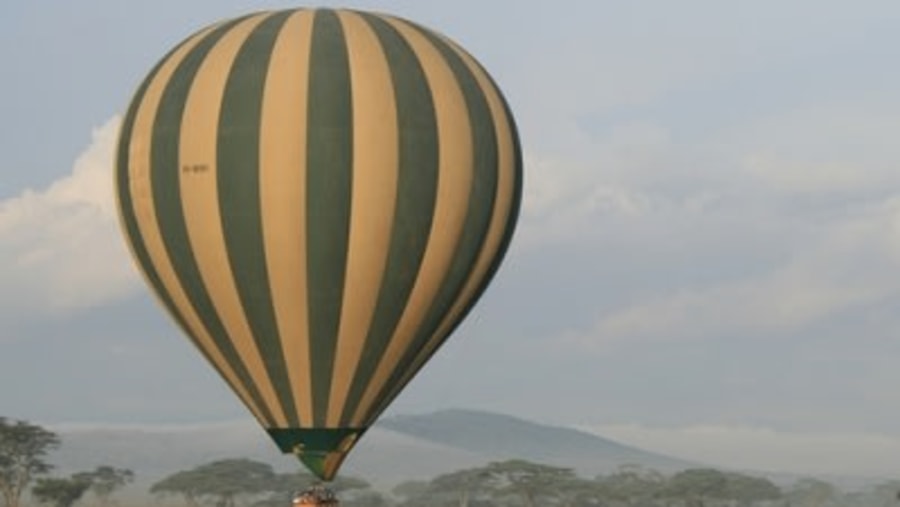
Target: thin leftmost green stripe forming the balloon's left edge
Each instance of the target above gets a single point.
(126, 205)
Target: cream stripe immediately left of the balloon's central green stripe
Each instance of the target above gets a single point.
(283, 198)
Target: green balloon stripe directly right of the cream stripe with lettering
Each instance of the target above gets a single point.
(237, 152)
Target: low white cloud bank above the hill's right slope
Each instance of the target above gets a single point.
(766, 449)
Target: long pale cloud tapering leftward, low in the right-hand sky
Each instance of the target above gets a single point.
(833, 267)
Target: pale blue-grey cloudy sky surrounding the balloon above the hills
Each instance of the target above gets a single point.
(706, 262)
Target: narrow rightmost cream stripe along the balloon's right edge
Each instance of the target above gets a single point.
(506, 185)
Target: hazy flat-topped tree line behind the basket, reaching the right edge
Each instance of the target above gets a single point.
(519, 483)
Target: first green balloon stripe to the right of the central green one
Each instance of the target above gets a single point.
(416, 196)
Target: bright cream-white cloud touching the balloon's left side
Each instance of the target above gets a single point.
(60, 247)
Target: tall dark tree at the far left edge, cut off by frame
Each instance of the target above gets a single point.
(23, 449)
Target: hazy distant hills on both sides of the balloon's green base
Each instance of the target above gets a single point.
(396, 449)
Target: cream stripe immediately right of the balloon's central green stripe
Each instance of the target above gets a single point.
(375, 163)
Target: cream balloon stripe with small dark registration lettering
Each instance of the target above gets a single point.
(199, 196)
